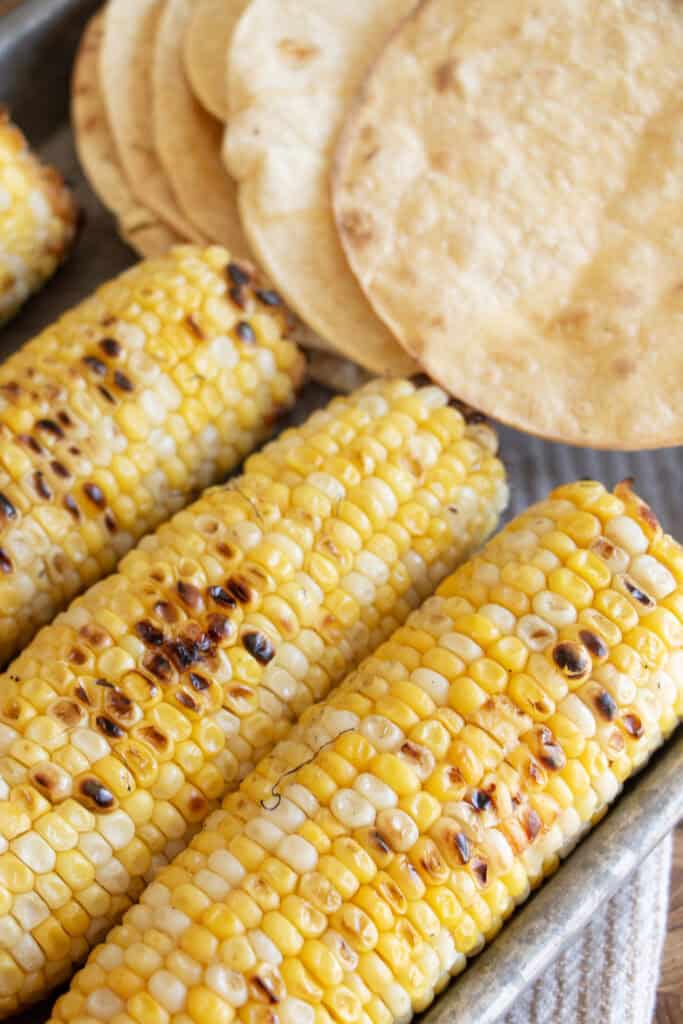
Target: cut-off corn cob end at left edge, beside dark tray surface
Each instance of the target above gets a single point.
(38, 220)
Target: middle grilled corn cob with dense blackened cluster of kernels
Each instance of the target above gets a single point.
(123, 723)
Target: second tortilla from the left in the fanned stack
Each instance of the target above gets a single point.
(126, 88)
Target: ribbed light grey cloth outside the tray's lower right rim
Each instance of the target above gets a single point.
(611, 974)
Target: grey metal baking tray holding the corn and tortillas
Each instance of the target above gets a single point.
(37, 41)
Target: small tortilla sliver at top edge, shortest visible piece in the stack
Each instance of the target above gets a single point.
(205, 52)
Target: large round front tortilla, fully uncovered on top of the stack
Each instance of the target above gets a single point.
(509, 192)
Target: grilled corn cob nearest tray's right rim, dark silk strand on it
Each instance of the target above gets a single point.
(389, 838)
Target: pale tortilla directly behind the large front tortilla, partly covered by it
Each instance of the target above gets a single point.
(293, 67)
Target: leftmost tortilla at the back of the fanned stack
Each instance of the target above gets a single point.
(97, 151)
